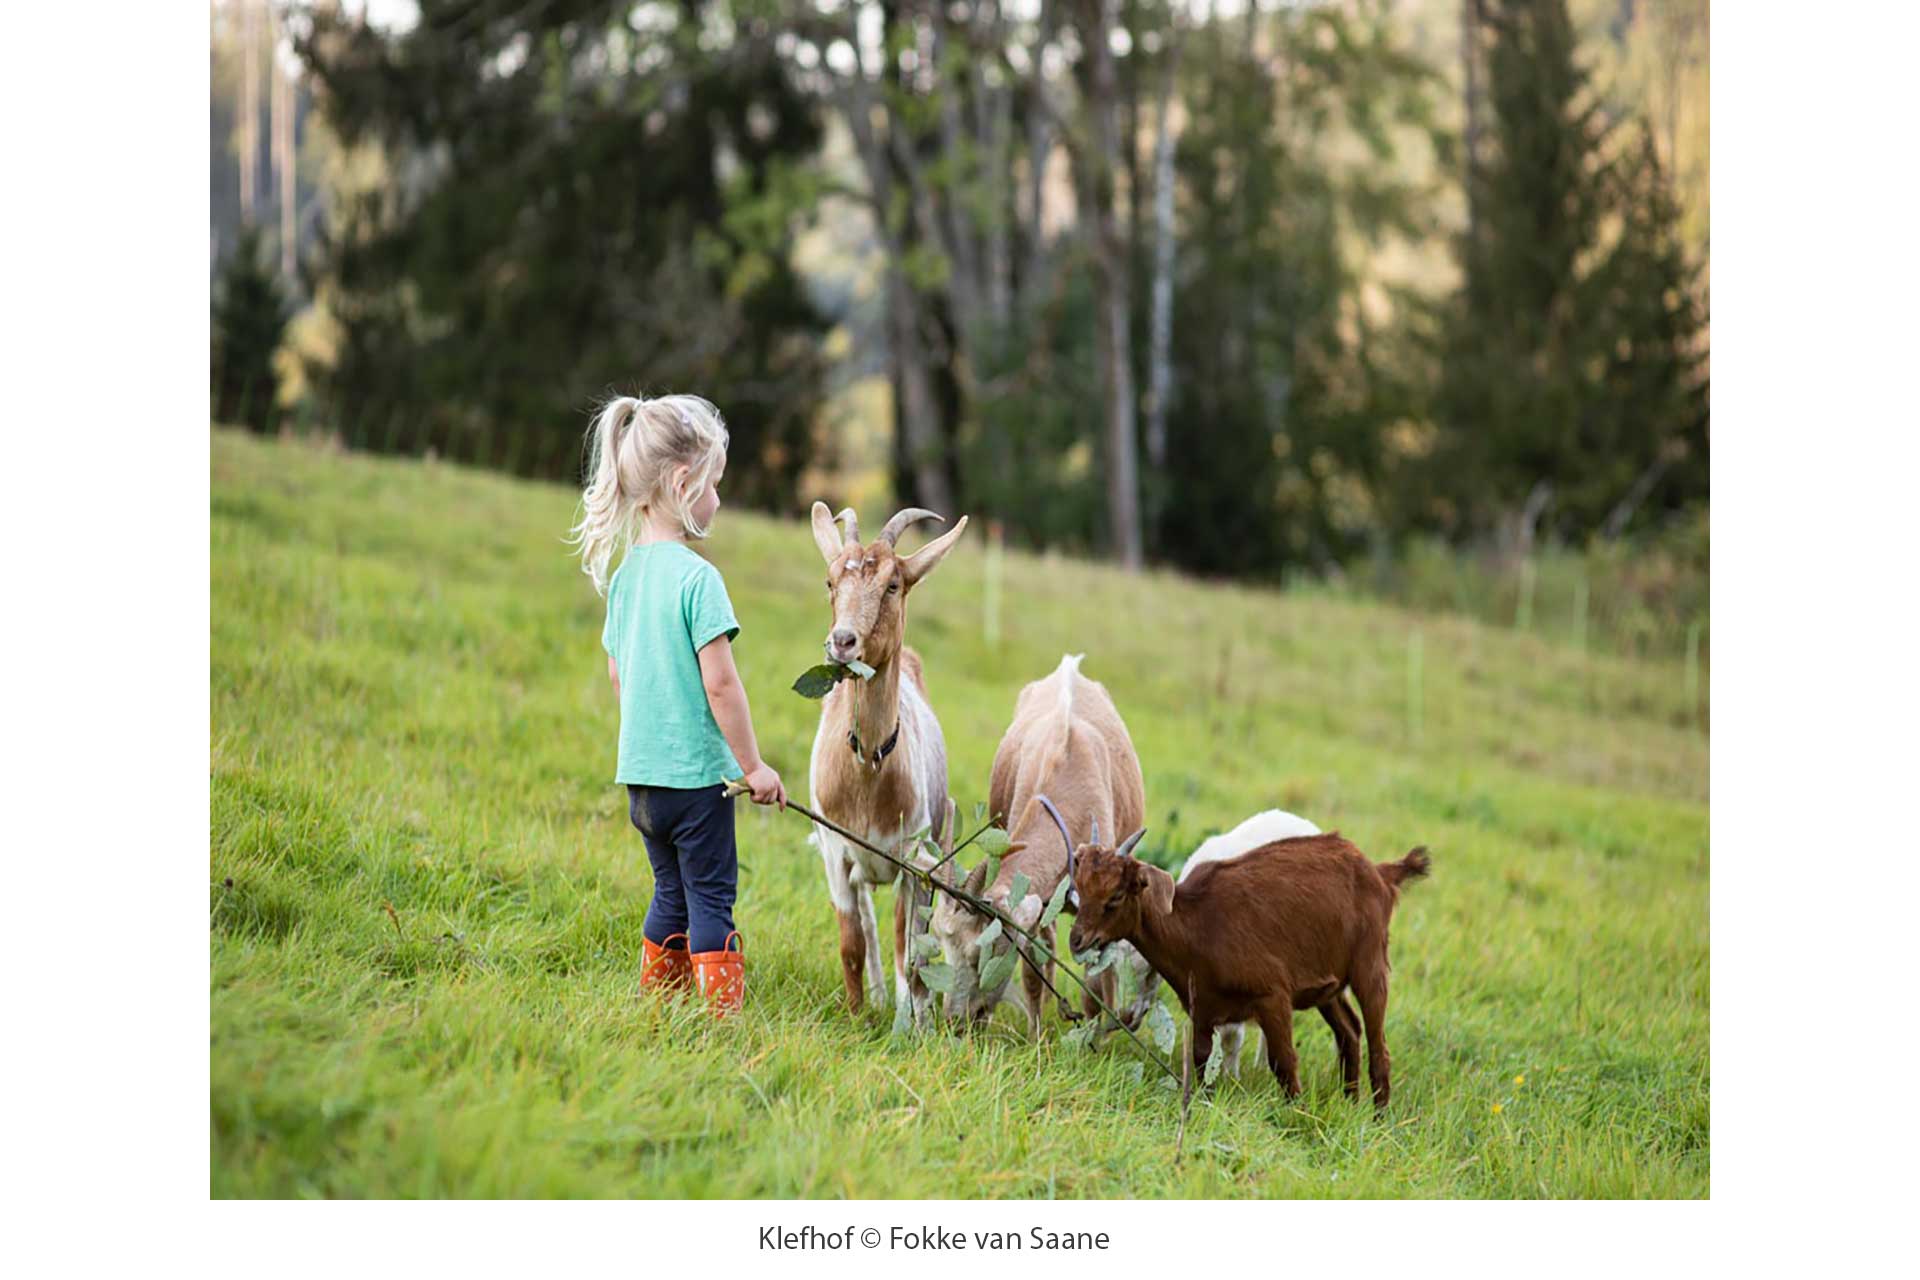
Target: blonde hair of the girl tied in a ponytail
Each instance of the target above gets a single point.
(633, 452)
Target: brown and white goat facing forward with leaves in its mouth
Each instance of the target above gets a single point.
(880, 763)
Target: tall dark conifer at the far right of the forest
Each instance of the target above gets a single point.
(1572, 385)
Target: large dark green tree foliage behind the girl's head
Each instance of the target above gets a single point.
(594, 197)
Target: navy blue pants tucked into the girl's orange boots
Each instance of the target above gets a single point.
(690, 843)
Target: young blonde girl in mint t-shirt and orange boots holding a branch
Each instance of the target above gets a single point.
(656, 467)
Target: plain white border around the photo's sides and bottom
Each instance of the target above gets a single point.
(1813, 694)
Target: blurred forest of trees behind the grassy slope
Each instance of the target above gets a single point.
(1391, 296)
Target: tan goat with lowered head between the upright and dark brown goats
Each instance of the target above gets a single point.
(1068, 744)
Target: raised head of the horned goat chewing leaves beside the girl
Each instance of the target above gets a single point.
(869, 584)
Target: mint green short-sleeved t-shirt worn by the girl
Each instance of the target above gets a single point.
(663, 605)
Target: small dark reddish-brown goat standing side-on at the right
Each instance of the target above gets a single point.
(1287, 926)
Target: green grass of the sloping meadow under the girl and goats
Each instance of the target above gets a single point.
(412, 709)
